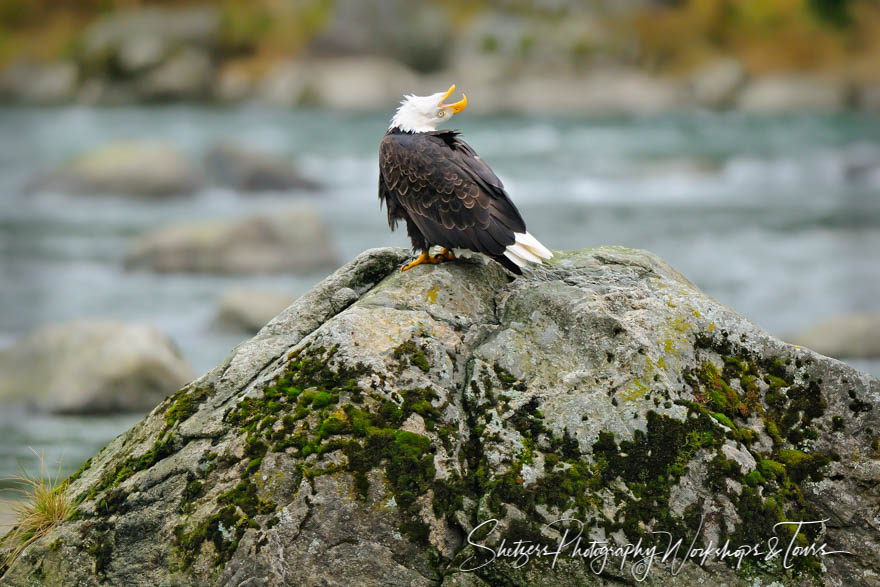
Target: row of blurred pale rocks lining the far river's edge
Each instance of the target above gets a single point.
(373, 83)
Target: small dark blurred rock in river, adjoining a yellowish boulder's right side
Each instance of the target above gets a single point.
(250, 170)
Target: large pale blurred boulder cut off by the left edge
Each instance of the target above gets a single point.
(91, 367)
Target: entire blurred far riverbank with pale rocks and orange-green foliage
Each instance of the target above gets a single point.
(362, 56)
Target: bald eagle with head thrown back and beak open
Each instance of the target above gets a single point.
(447, 195)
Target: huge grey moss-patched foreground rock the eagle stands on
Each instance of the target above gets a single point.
(365, 432)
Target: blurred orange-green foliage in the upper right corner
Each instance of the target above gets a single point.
(766, 35)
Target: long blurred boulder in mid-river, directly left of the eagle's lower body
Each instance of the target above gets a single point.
(293, 240)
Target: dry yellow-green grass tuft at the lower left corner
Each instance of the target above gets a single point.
(44, 503)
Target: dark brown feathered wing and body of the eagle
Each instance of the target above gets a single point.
(448, 192)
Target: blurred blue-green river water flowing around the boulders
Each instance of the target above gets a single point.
(779, 218)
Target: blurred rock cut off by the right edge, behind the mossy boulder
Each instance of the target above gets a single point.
(854, 336)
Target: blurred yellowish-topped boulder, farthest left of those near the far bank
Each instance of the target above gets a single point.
(140, 169)
